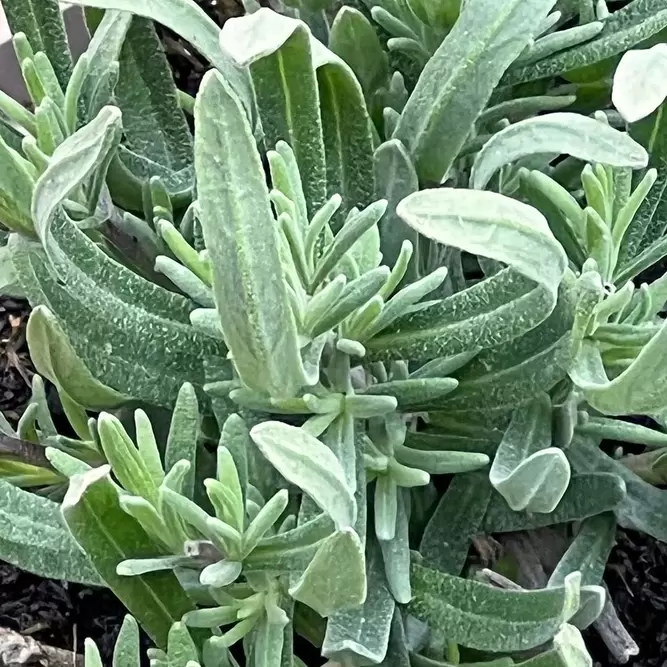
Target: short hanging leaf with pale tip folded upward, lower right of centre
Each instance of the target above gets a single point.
(527, 471)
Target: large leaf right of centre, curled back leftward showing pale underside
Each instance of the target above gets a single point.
(521, 296)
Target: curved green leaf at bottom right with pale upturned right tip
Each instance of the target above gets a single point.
(482, 617)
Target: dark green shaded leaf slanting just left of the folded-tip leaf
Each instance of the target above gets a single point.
(457, 519)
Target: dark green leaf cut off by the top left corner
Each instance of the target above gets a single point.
(42, 23)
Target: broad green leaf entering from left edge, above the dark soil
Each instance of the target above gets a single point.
(34, 537)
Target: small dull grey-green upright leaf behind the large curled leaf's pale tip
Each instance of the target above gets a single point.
(395, 179)
